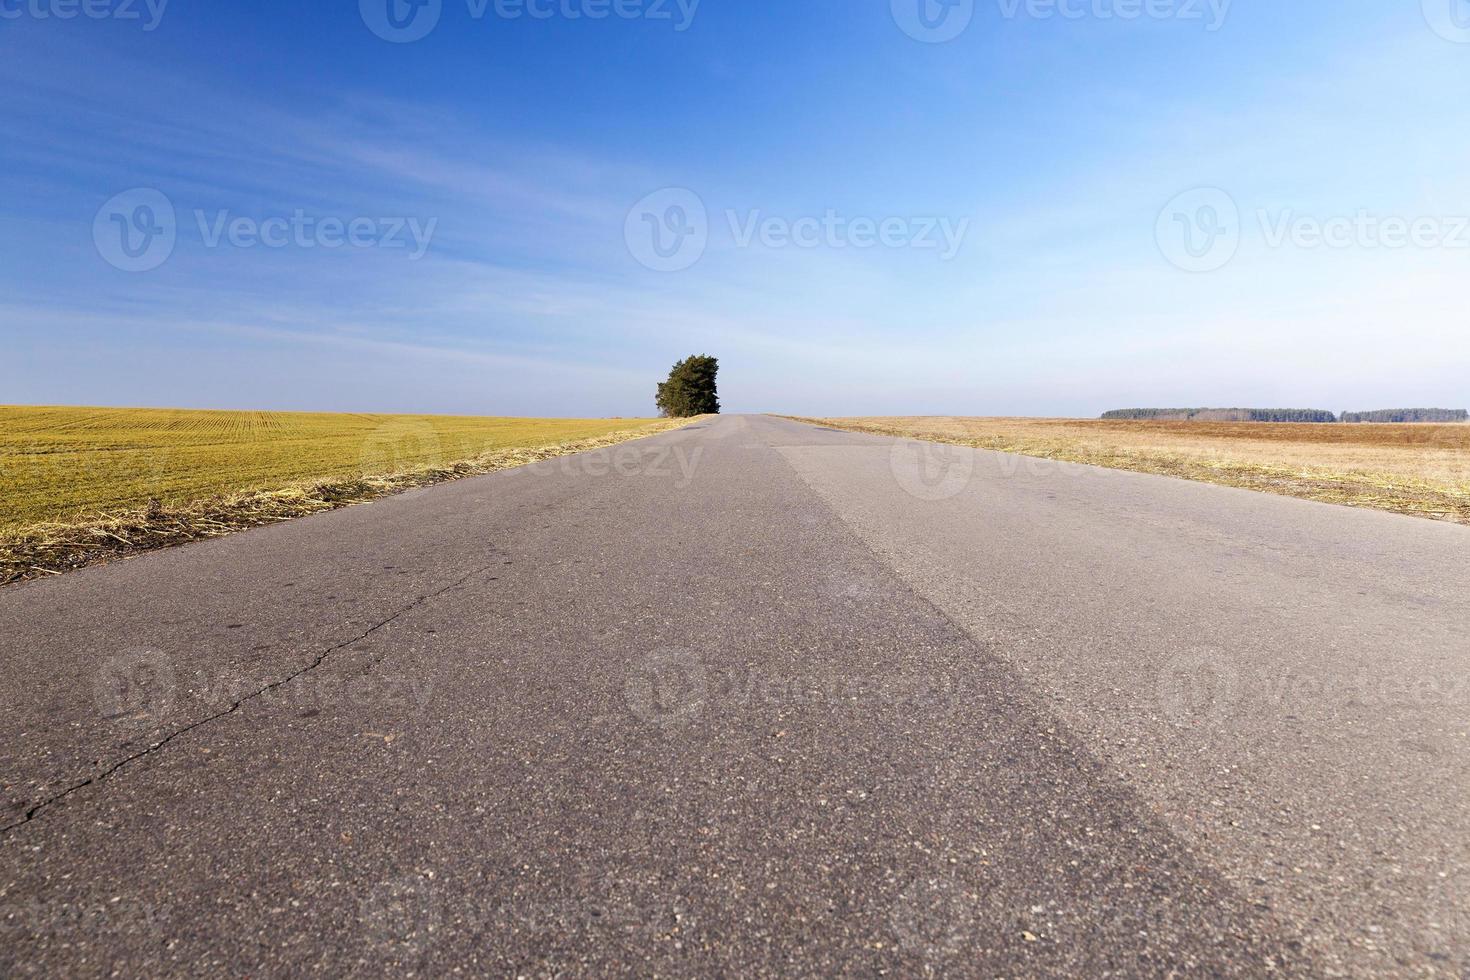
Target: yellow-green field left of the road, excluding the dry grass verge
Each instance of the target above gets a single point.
(74, 465)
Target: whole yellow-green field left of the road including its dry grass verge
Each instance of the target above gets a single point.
(87, 486)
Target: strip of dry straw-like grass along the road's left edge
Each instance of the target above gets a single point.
(49, 547)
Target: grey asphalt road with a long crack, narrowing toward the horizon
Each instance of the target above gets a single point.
(752, 699)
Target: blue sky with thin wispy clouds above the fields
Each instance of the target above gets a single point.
(506, 176)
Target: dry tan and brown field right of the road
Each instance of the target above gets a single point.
(1409, 469)
